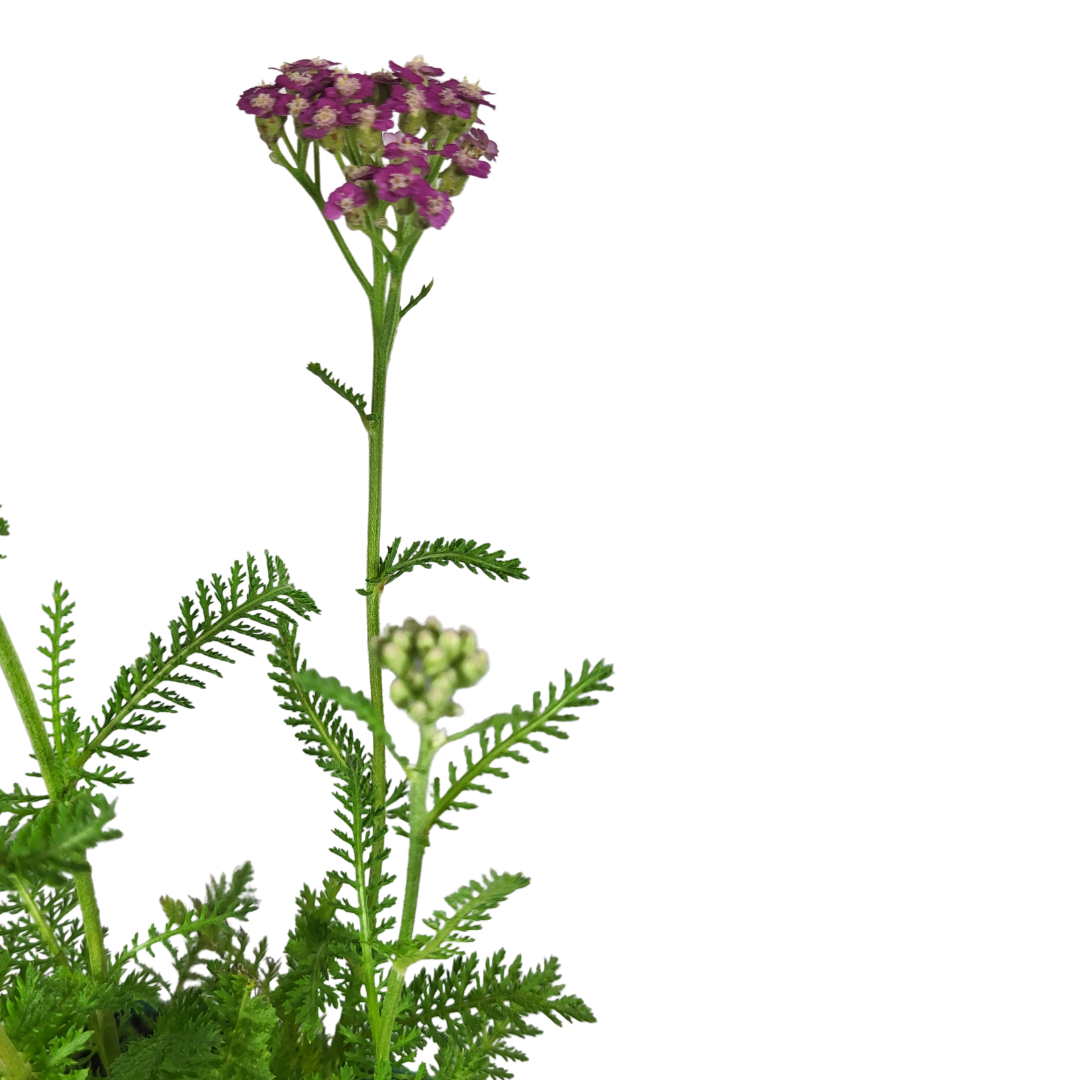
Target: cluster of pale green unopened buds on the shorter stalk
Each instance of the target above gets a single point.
(431, 664)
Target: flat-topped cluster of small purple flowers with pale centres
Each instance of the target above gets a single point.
(352, 115)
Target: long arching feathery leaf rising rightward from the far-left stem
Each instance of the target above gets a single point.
(241, 604)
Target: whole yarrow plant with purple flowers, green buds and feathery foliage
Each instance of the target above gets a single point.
(411, 1002)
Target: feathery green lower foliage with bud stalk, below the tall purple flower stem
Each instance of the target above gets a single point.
(233, 1011)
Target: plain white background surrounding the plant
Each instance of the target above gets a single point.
(759, 348)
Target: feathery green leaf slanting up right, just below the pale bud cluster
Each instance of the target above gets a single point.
(506, 736)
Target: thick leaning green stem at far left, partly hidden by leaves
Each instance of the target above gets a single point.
(104, 1024)
